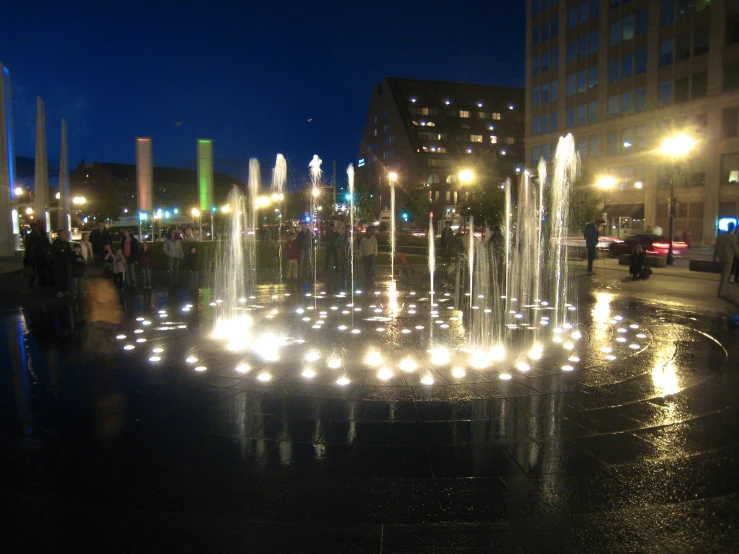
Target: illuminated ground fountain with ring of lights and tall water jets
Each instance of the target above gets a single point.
(520, 313)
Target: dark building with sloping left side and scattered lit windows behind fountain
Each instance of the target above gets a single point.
(427, 132)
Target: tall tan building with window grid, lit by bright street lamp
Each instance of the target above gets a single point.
(621, 76)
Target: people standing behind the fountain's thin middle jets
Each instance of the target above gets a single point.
(300, 248)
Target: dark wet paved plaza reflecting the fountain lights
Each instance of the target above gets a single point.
(103, 448)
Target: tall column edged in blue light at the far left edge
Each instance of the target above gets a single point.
(9, 233)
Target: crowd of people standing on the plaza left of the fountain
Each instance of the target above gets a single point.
(66, 265)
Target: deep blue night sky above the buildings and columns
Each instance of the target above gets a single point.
(246, 74)
